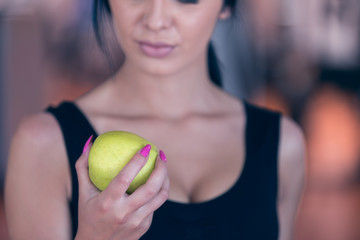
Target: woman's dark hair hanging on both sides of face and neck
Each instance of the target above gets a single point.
(102, 14)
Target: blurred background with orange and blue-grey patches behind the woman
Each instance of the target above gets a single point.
(299, 57)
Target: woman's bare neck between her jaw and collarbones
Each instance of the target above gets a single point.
(167, 96)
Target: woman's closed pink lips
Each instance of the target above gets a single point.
(157, 49)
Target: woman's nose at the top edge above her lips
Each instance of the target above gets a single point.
(156, 16)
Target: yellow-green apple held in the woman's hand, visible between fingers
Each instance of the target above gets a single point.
(111, 151)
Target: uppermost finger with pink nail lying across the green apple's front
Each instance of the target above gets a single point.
(122, 181)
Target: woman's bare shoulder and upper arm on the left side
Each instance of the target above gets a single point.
(37, 177)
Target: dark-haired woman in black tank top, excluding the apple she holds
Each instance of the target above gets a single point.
(228, 179)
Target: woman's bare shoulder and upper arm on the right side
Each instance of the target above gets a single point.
(291, 175)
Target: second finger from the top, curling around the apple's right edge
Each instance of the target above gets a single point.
(151, 188)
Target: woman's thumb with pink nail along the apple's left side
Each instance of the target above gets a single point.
(86, 187)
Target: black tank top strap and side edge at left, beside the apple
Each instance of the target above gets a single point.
(76, 130)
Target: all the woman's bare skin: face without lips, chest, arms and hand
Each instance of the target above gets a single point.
(173, 95)
